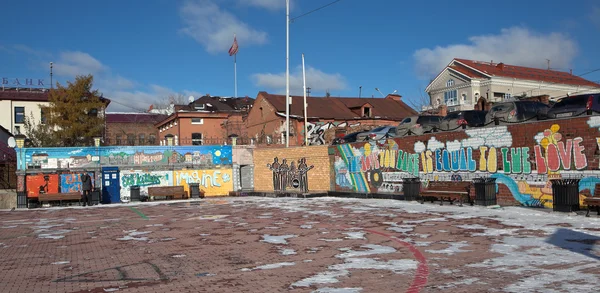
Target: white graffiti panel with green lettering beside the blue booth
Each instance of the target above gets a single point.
(143, 179)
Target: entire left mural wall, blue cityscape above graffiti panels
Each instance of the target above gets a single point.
(140, 165)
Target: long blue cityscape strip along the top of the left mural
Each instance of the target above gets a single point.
(92, 157)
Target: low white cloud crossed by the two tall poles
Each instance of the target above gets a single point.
(316, 79)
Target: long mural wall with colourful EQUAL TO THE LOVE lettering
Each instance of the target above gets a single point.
(523, 158)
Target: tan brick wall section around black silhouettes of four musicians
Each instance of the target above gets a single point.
(318, 177)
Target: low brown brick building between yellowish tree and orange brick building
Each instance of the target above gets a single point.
(131, 128)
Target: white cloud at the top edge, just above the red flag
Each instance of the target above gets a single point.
(214, 27)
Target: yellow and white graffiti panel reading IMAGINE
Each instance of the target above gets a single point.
(214, 182)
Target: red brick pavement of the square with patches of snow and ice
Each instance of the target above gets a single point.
(296, 245)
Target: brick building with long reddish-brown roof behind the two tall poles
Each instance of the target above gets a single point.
(266, 120)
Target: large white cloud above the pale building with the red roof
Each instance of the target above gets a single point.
(515, 45)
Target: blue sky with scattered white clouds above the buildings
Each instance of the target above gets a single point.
(140, 51)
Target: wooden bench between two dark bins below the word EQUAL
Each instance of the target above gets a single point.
(448, 191)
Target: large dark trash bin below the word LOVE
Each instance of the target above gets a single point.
(565, 195)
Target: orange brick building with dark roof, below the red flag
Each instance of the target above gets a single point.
(206, 120)
